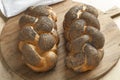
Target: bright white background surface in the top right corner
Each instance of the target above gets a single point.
(103, 5)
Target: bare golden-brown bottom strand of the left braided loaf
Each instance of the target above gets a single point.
(47, 62)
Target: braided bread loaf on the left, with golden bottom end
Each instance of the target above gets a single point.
(38, 38)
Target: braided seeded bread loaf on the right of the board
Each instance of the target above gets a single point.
(84, 40)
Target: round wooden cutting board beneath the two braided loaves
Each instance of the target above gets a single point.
(12, 56)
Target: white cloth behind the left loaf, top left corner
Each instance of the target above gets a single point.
(20, 5)
